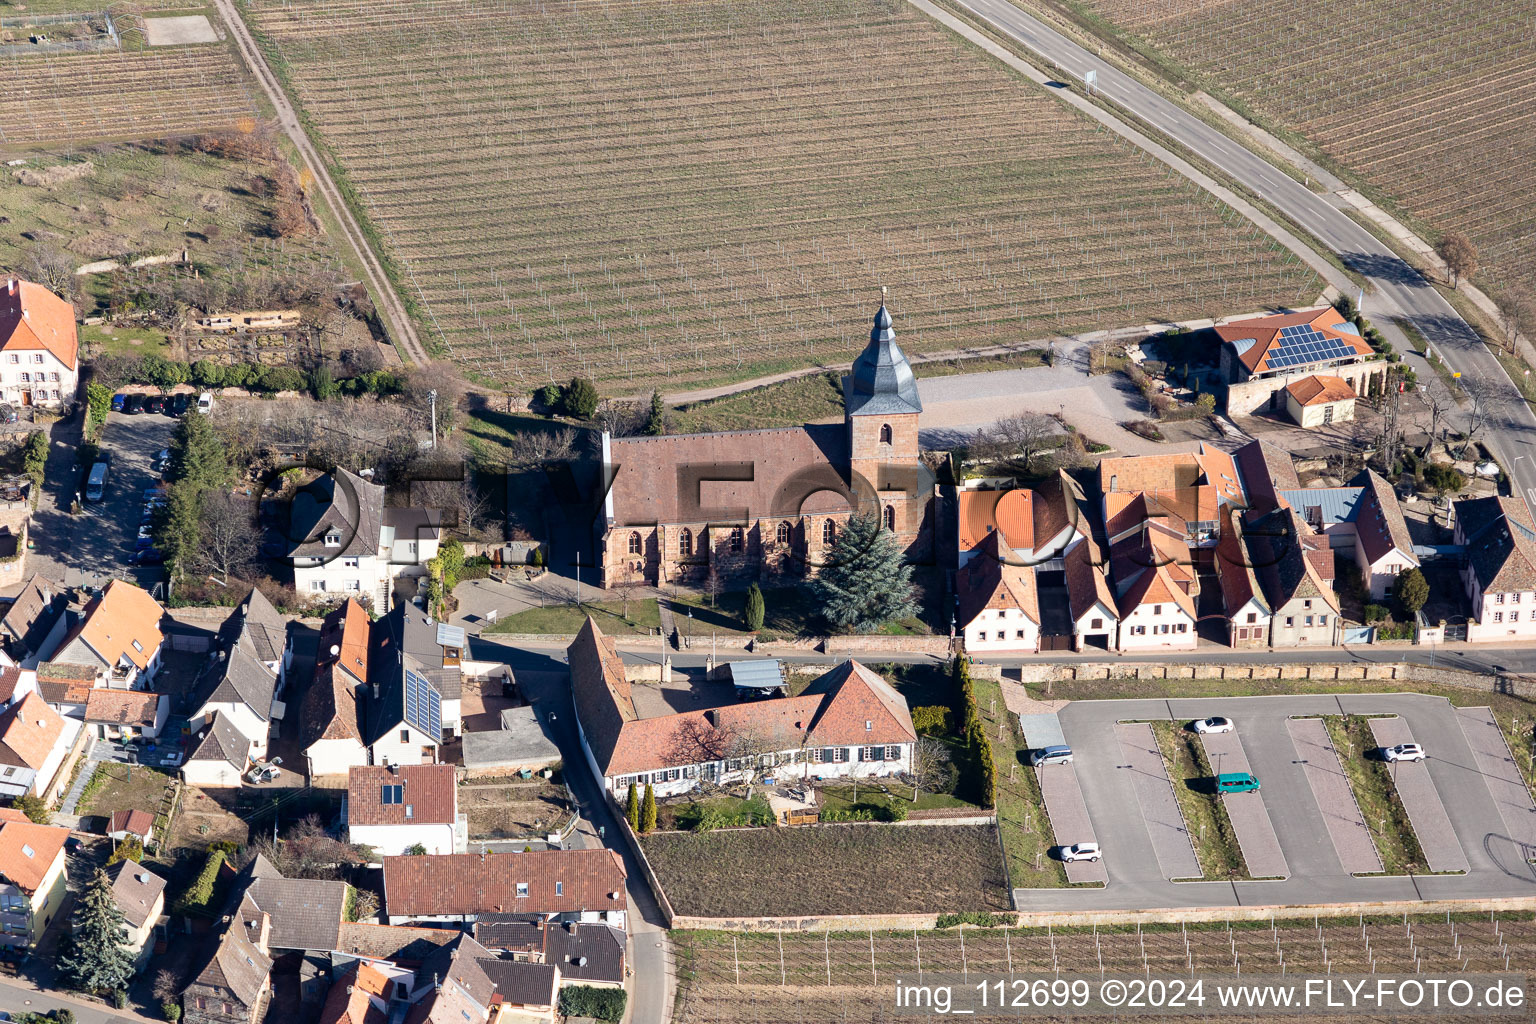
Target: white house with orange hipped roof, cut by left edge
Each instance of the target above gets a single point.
(39, 348)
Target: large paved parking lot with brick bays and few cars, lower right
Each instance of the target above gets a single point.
(1300, 833)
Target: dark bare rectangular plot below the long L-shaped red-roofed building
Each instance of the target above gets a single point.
(830, 870)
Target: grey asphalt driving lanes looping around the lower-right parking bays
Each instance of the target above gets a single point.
(1497, 867)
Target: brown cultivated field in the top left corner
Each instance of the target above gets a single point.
(65, 97)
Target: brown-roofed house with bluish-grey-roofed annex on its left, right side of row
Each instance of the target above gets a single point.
(1366, 521)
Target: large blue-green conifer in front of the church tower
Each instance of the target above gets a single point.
(867, 581)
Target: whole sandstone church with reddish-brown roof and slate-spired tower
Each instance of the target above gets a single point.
(769, 506)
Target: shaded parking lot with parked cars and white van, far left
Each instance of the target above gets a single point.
(94, 546)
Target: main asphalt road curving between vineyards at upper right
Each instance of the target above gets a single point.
(1399, 289)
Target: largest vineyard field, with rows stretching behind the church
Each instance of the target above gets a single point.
(680, 194)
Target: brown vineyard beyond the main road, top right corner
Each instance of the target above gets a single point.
(1434, 105)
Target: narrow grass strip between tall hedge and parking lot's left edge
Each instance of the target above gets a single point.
(1021, 808)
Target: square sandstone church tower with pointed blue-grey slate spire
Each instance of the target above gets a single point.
(882, 412)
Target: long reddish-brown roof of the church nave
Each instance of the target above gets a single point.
(787, 466)
